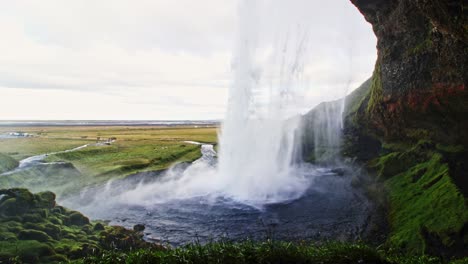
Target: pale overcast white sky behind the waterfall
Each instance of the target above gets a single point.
(159, 59)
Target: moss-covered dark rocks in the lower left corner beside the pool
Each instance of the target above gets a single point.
(34, 229)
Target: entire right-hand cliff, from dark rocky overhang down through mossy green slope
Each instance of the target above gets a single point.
(410, 127)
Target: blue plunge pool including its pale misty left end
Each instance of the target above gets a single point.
(329, 209)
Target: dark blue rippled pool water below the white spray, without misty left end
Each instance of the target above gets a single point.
(329, 210)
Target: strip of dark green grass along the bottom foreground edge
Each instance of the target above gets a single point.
(267, 252)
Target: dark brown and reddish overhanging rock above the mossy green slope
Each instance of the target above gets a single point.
(419, 83)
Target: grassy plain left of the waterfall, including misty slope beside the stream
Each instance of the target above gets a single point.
(136, 149)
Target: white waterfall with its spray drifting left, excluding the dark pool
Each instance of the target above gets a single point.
(259, 136)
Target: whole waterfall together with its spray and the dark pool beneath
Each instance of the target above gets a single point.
(257, 175)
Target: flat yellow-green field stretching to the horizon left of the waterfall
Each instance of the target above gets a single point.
(135, 149)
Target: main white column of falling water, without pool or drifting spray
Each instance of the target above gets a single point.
(257, 144)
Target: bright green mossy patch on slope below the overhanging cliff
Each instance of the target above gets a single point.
(424, 202)
